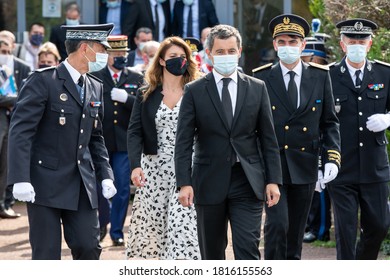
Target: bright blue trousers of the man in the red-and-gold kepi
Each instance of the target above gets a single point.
(120, 165)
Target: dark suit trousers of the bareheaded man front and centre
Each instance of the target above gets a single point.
(243, 210)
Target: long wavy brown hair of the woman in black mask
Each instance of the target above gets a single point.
(154, 73)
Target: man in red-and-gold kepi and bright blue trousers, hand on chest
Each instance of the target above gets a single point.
(120, 86)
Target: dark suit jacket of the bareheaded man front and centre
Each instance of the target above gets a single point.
(252, 137)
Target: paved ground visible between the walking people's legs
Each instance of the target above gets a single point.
(14, 244)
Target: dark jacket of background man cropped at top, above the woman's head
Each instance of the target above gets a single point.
(142, 16)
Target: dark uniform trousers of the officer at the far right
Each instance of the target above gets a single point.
(374, 219)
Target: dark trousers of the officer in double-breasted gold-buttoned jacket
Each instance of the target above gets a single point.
(285, 222)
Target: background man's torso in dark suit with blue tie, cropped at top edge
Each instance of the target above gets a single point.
(191, 17)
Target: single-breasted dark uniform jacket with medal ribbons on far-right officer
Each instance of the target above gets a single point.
(364, 152)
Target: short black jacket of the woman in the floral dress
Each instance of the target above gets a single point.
(142, 133)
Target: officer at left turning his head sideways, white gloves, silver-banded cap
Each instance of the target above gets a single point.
(56, 148)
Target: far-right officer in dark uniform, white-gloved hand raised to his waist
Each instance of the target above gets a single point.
(361, 89)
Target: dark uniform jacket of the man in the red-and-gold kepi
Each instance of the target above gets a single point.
(117, 114)
